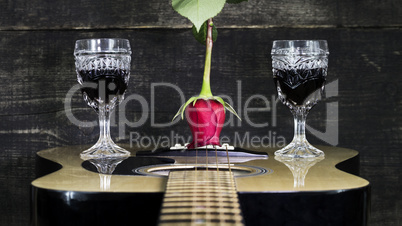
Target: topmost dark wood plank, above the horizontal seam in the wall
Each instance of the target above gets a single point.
(92, 14)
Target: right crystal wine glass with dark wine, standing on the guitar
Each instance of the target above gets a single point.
(299, 70)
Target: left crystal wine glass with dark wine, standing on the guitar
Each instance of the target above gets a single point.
(103, 71)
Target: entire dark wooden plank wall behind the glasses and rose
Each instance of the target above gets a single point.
(37, 71)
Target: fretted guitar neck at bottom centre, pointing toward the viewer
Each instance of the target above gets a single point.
(200, 197)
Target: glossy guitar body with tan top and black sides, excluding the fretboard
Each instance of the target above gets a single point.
(69, 191)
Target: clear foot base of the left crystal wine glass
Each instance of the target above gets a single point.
(104, 149)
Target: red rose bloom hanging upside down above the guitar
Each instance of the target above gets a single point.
(205, 118)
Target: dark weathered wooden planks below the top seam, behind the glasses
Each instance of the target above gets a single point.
(37, 71)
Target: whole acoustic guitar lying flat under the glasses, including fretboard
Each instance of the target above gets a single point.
(206, 186)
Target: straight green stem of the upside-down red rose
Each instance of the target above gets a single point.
(206, 85)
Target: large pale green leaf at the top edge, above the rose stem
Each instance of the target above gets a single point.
(198, 11)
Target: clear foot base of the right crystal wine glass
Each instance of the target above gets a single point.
(299, 150)
